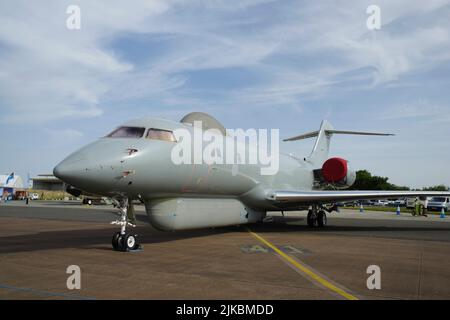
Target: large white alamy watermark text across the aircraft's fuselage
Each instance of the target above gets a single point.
(197, 146)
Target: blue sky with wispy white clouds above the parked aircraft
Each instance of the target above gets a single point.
(251, 64)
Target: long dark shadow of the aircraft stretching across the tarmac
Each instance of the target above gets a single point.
(100, 238)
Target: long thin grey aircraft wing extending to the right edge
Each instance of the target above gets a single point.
(339, 196)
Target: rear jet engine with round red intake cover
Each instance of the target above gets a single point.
(335, 172)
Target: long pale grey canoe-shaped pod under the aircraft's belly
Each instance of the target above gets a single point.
(193, 213)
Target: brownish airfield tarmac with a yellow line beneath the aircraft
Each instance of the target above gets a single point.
(280, 259)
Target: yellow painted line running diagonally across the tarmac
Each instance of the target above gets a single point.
(304, 269)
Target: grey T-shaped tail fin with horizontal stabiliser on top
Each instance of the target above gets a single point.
(321, 148)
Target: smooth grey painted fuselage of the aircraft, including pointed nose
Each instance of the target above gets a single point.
(106, 167)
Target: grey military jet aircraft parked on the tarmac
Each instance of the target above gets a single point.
(135, 162)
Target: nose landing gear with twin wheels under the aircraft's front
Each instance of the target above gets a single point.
(123, 241)
